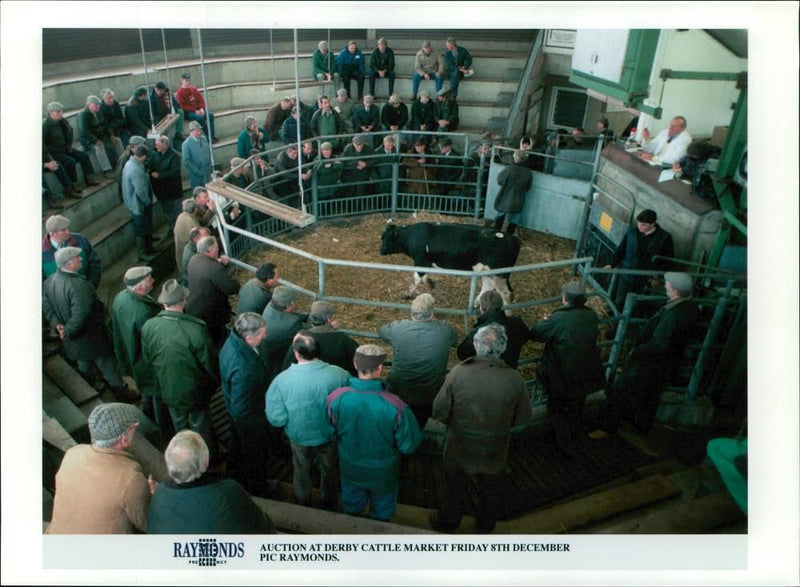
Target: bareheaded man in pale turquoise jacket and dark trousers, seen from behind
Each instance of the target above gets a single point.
(296, 399)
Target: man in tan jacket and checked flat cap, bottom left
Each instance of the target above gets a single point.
(100, 488)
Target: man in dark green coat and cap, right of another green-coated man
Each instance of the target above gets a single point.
(184, 360)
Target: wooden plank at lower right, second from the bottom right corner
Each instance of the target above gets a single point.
(596, 507)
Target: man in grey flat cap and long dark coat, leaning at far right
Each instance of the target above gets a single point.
(653, 361)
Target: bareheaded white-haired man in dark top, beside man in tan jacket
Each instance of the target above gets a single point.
(193, 501)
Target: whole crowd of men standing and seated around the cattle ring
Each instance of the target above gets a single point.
(293, 377)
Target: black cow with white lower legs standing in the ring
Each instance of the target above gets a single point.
(454, 246)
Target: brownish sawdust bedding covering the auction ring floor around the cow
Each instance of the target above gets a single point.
(358, 239)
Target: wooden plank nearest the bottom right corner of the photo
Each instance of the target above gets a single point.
(697, 516)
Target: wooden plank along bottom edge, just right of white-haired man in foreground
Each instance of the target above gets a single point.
(297, 519)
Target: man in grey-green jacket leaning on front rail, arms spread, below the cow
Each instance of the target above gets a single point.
(421, 348)
